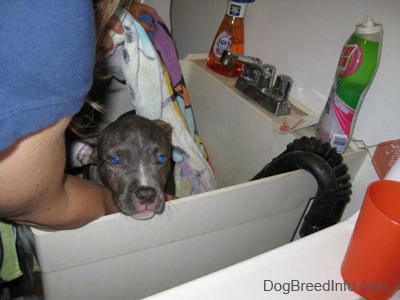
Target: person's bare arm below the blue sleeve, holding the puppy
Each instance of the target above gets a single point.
(35, 191)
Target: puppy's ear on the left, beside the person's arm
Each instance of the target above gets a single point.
(83, 152)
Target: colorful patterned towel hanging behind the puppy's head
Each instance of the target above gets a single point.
(137, 62)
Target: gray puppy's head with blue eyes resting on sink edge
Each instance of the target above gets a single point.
(133, 159)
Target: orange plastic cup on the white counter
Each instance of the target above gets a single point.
(371, 266)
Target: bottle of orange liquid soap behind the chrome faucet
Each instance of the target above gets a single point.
(230, 36)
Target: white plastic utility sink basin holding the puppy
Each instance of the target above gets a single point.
(116, 257)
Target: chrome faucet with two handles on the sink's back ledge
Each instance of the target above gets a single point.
(256, 81)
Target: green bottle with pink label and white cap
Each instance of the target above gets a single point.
(356, 69)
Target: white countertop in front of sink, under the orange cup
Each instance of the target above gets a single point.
(308, 268)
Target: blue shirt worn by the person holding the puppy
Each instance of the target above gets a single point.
(47, 51)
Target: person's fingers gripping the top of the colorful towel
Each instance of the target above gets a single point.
(105, 45)
